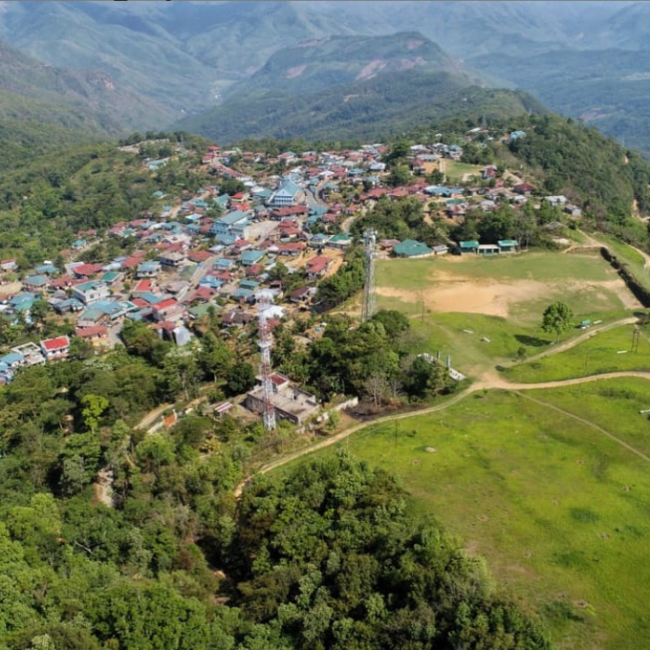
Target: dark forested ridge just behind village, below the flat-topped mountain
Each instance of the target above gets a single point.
(387, 105)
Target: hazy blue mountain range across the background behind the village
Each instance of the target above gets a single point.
(119, 66)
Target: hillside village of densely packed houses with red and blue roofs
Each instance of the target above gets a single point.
(284, 230)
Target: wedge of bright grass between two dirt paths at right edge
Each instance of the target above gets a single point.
(597, 355)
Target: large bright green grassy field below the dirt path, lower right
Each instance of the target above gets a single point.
(559, 509)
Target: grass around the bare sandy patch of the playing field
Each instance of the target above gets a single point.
(445, 332)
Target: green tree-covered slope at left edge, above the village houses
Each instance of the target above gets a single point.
(83, 188)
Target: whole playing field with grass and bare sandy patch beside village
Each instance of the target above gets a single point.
(481, 311)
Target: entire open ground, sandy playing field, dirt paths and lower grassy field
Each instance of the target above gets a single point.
(551, 485)
